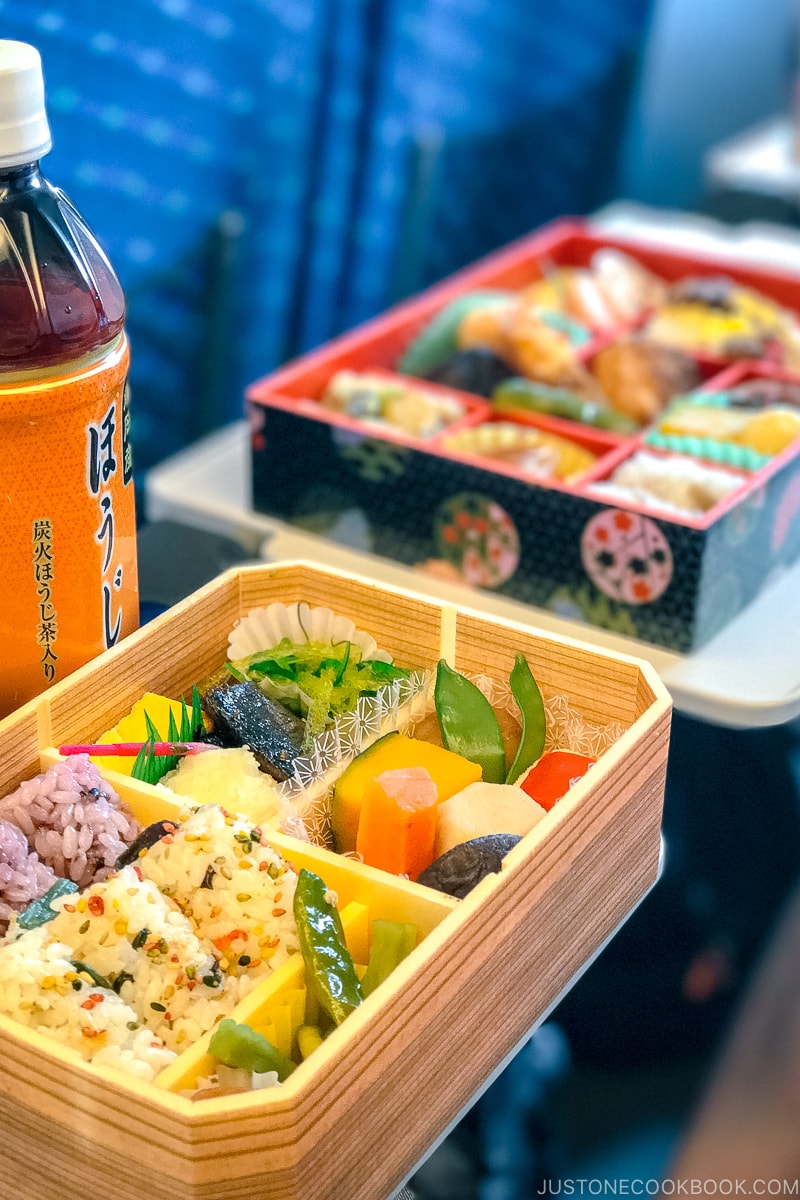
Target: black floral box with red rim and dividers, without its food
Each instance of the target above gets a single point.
(580, 548)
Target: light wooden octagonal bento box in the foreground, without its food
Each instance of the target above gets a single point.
(358, 1115)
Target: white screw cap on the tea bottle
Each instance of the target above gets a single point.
(25, 133)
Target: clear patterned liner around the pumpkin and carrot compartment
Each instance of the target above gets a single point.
(402, 706)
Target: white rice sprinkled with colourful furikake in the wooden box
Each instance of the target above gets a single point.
(136, 968)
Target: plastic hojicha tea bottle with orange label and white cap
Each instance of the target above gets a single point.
(68, 524)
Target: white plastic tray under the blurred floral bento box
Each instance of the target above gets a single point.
(749, 676)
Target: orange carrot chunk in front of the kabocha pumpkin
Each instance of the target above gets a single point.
(399, 821)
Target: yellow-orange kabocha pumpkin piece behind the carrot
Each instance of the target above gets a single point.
(450, 772)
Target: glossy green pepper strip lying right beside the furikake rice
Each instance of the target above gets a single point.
(328, 961)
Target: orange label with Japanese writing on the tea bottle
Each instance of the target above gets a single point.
(69, 586)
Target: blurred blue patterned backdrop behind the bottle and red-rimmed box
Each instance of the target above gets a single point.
(266, 173)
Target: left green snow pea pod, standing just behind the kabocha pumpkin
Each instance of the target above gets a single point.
(468, 723)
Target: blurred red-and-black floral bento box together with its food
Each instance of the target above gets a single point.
(455, 503)
